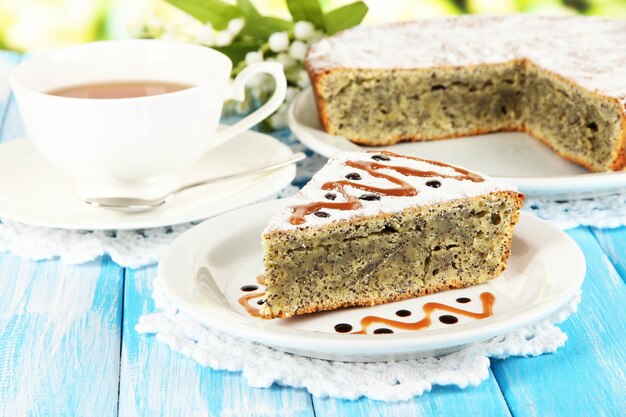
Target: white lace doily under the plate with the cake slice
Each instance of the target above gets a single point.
(262, 366)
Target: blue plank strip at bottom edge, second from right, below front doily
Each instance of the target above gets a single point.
(484, 400)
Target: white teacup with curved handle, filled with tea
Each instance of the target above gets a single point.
(133, 144)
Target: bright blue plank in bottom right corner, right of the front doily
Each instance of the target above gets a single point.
(588, 376)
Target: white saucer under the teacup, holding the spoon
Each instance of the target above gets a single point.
(33, 192)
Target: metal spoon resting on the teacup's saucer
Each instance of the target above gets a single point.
(141, 204)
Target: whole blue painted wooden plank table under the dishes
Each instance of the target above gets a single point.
(68, 347)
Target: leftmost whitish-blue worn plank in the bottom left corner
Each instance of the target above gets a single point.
(60, 337)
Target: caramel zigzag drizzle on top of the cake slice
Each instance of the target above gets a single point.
(404, 190)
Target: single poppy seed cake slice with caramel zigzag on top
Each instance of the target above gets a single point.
(371, 228)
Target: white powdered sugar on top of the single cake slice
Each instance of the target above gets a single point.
(336, 169)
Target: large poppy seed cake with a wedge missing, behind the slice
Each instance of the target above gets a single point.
(561, 79)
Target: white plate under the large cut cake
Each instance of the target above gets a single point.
(514, 157)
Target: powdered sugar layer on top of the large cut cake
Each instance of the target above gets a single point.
(586, 50)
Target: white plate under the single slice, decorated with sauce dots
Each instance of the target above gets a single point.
(545, 270)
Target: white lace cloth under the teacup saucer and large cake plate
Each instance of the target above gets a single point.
(143, 247)
